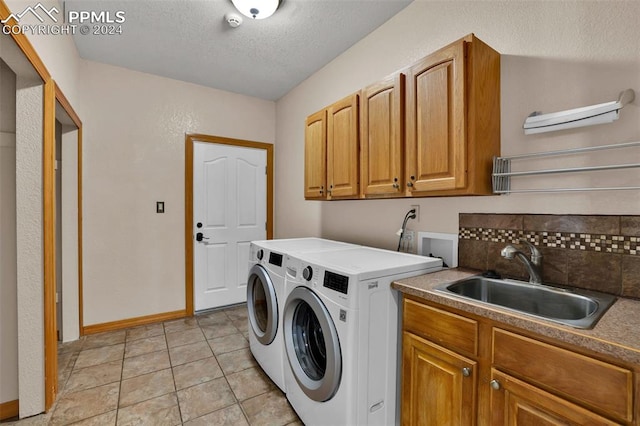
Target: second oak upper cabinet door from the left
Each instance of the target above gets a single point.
(342, 148)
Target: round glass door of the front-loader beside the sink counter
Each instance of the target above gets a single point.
(312, 345)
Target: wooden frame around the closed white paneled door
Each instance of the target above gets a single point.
(188, 199)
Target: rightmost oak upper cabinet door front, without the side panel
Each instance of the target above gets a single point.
(436, 122)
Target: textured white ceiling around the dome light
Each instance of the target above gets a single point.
(190, 40)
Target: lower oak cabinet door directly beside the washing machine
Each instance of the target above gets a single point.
(438, 385)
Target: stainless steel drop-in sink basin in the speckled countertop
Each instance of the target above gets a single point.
(577, 308)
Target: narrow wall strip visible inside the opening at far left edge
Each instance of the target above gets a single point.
(8, 263)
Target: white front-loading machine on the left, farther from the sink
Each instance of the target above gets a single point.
(266, 295)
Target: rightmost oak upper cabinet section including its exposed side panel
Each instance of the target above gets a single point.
(453, 120)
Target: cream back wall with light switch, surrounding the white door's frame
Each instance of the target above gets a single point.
(134, 143)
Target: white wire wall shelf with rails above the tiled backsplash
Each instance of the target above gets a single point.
(502, 174)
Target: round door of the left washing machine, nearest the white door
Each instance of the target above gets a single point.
(262, 305)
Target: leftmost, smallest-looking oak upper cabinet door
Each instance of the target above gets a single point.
(315, 156)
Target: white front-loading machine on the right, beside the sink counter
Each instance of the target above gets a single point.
(341, 334)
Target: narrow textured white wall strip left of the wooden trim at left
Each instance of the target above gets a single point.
(29, 110)
